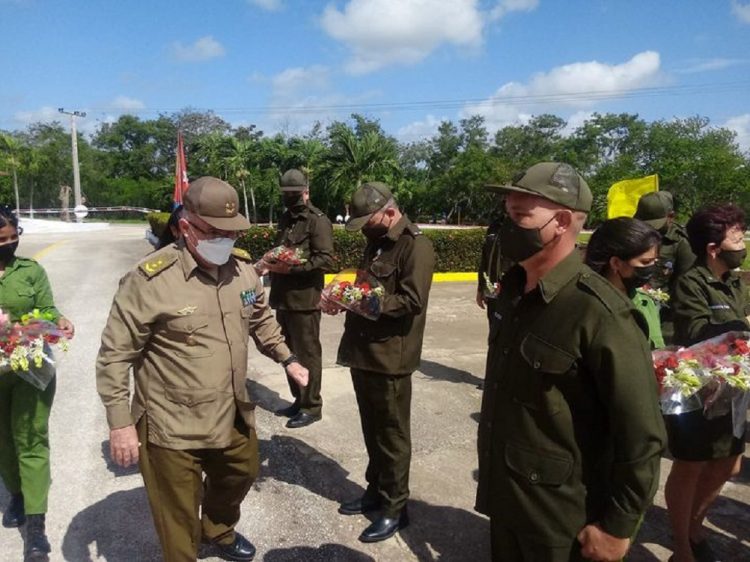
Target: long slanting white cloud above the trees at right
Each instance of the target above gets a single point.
(579, 85)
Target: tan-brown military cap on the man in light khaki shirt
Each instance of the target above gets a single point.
(216, 202)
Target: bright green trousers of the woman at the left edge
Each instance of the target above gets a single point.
(24, 440)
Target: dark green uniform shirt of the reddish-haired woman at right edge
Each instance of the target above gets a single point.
(705, 306)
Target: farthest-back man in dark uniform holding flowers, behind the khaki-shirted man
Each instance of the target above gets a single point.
(295, 291)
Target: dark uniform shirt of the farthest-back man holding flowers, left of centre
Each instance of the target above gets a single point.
(311, 231)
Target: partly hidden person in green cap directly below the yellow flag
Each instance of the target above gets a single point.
(675, 255)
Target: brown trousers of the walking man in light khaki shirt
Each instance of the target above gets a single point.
(188, 508)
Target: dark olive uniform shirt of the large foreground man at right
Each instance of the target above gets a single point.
(570, 430)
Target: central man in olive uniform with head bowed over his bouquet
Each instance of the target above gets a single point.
(383, 353)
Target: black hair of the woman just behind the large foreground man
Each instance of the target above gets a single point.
(623, 237)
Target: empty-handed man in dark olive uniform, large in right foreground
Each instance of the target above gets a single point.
(570, 432)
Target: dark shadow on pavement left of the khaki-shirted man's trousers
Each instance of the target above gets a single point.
(117, 528)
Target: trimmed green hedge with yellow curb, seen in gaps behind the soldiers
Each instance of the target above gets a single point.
(455, 249)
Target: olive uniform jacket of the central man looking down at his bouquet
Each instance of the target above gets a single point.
(402, 261)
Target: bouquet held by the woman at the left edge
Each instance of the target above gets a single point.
(25, 347)
